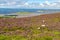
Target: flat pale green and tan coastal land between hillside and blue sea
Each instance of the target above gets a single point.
(24, 14)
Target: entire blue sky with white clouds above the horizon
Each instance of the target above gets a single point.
(30, 4)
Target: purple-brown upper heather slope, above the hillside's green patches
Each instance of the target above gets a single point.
(50, 20)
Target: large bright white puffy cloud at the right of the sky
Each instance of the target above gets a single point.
(48, 4)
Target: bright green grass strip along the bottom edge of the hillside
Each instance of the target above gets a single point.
(17, 37)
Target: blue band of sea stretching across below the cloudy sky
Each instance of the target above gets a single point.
(15, 10)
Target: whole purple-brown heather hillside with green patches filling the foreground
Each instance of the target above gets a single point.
(43, 27)
